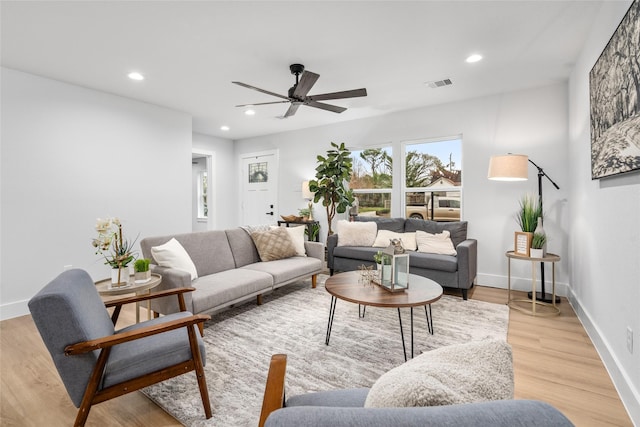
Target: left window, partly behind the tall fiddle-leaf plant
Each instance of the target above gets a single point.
(371, 181)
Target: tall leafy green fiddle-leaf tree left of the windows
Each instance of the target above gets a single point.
(330, 186)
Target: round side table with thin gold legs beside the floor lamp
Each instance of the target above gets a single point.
(550, 309)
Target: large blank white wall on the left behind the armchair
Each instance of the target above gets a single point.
(71, 155)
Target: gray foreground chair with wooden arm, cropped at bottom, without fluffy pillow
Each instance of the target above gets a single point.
(346, 408)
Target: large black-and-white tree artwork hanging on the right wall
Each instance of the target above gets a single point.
(614, 95)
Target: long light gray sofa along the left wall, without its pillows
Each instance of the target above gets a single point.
(229, 270)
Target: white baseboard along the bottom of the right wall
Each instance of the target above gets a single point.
(629, 395)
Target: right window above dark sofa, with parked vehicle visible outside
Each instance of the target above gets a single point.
(433, 180)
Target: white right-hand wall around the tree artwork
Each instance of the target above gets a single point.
(604, 235)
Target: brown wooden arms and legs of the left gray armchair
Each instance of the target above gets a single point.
(93, 396)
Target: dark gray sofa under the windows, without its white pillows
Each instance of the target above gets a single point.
(451, 271)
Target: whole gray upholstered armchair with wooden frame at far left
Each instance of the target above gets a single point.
(96, 362)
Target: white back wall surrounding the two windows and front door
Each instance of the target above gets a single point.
(532, 122)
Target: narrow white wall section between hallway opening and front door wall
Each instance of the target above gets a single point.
(223, 184)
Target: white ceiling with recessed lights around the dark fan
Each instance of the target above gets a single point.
(190, 51)
